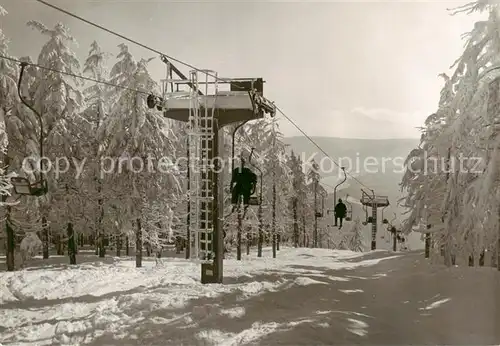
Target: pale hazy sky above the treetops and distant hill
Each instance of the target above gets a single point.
(338, 69)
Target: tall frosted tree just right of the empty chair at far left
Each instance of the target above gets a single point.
(57, 98)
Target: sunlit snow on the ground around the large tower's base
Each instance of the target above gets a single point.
(50, 305)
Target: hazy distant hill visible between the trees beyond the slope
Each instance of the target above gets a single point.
(376, 163)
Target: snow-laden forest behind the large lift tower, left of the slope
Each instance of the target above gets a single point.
(102, 151)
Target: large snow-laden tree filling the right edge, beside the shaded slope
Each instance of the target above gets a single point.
(460, 200)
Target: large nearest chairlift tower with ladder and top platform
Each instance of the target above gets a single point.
(207, 109)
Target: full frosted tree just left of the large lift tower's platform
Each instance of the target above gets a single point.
(136, 135)
